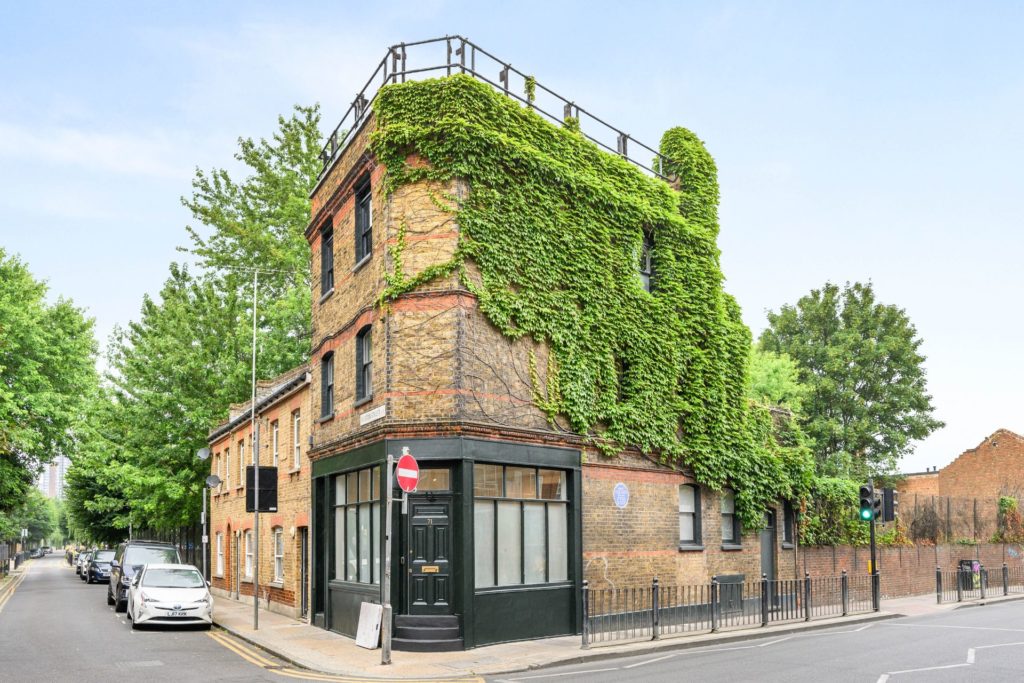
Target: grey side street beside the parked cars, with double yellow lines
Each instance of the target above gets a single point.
(58, 628)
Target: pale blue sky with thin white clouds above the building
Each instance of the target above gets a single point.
(856, 141)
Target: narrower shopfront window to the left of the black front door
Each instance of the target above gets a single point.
(357, 535)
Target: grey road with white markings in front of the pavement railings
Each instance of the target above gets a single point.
(969, 645)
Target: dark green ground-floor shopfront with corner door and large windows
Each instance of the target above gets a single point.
(490, 550)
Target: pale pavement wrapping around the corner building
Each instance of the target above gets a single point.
(321, 651)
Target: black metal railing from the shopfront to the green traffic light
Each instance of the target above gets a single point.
(614, 615)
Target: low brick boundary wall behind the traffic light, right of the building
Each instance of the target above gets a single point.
(909, 571)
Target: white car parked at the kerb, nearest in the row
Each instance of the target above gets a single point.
(169, 594)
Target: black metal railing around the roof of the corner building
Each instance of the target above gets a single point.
(463, 57)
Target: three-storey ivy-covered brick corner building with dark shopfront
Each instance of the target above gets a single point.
(539, 319)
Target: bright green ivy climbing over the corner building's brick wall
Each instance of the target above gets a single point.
(556, 228)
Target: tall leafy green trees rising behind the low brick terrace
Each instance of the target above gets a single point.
(175, 372)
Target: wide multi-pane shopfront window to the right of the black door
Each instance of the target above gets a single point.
(521, 526)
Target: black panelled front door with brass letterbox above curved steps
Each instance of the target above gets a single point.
(429, 556)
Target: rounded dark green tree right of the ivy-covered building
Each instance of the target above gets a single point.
(861, 361)
